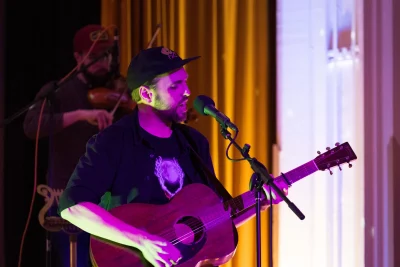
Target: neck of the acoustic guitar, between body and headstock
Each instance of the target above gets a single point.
(247, 200)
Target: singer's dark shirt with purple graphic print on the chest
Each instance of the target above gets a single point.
(124, 164)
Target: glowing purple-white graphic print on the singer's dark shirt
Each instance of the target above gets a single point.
(170, 175)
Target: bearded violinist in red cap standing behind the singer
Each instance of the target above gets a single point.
(73, 120)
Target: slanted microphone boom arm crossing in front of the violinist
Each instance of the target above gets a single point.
(48, 92)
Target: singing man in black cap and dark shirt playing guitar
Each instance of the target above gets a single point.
(143, 158)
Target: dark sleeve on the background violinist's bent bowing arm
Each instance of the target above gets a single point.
(49, 122)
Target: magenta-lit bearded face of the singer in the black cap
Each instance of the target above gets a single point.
(171, 95)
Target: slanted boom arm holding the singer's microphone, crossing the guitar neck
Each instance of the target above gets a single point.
(262, 171)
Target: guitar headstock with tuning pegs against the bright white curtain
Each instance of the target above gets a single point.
(334, 157)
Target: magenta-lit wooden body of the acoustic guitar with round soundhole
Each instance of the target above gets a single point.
(202, 241)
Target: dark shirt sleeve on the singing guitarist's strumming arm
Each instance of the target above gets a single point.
(96, 170)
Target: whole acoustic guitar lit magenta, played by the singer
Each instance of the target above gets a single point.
(196, 221)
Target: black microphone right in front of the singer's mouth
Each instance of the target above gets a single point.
(206, 106)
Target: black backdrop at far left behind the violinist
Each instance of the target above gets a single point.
(38, 48)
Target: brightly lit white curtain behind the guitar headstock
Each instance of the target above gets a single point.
(320, 103)
